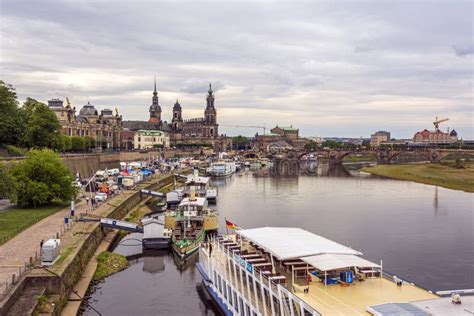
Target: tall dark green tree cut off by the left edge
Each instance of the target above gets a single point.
(11, 119)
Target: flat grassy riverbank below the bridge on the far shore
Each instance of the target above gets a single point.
(434, 174)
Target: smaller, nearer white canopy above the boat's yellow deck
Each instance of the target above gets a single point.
(328, 262)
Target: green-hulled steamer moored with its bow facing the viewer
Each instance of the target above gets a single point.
(189, 224)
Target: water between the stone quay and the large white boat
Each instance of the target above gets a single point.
(152, 285)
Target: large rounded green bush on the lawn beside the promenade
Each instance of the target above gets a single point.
(42, 178)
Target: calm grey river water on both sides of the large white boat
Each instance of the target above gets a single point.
(423, 233)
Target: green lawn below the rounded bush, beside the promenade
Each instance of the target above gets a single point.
(15, 220)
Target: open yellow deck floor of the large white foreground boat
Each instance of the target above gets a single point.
(336, 299)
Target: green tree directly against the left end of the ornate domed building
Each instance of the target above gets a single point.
(42, 126)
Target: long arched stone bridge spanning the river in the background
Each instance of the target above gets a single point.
(383, 156)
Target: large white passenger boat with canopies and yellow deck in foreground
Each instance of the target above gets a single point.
(290, 271)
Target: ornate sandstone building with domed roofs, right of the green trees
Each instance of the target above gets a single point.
(104, 127)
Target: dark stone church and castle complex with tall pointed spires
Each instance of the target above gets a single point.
(202, 131)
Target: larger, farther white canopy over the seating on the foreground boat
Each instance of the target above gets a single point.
(288, 242)
